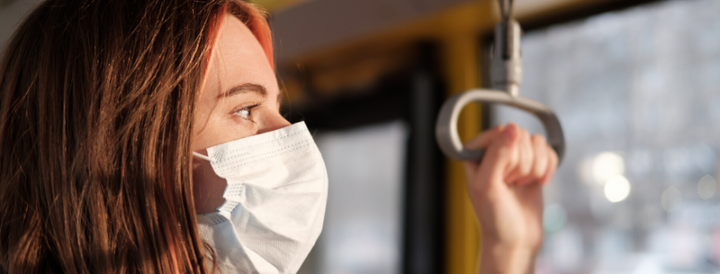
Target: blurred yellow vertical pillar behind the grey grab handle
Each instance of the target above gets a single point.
(459, 32)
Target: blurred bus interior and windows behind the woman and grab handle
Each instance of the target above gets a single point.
(634, 83)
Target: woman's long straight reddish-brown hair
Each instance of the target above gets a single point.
(97, 100)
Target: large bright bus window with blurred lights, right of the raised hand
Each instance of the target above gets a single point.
(637, 94)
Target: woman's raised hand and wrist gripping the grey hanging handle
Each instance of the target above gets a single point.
(506, 193)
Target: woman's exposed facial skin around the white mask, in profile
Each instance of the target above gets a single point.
(239, 98)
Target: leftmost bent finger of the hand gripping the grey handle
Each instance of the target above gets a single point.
(500, 157)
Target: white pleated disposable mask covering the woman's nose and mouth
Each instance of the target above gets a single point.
(275, 201)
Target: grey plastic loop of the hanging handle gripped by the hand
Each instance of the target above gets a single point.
(446, 127)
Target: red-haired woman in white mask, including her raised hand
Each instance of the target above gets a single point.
(121, 121)
